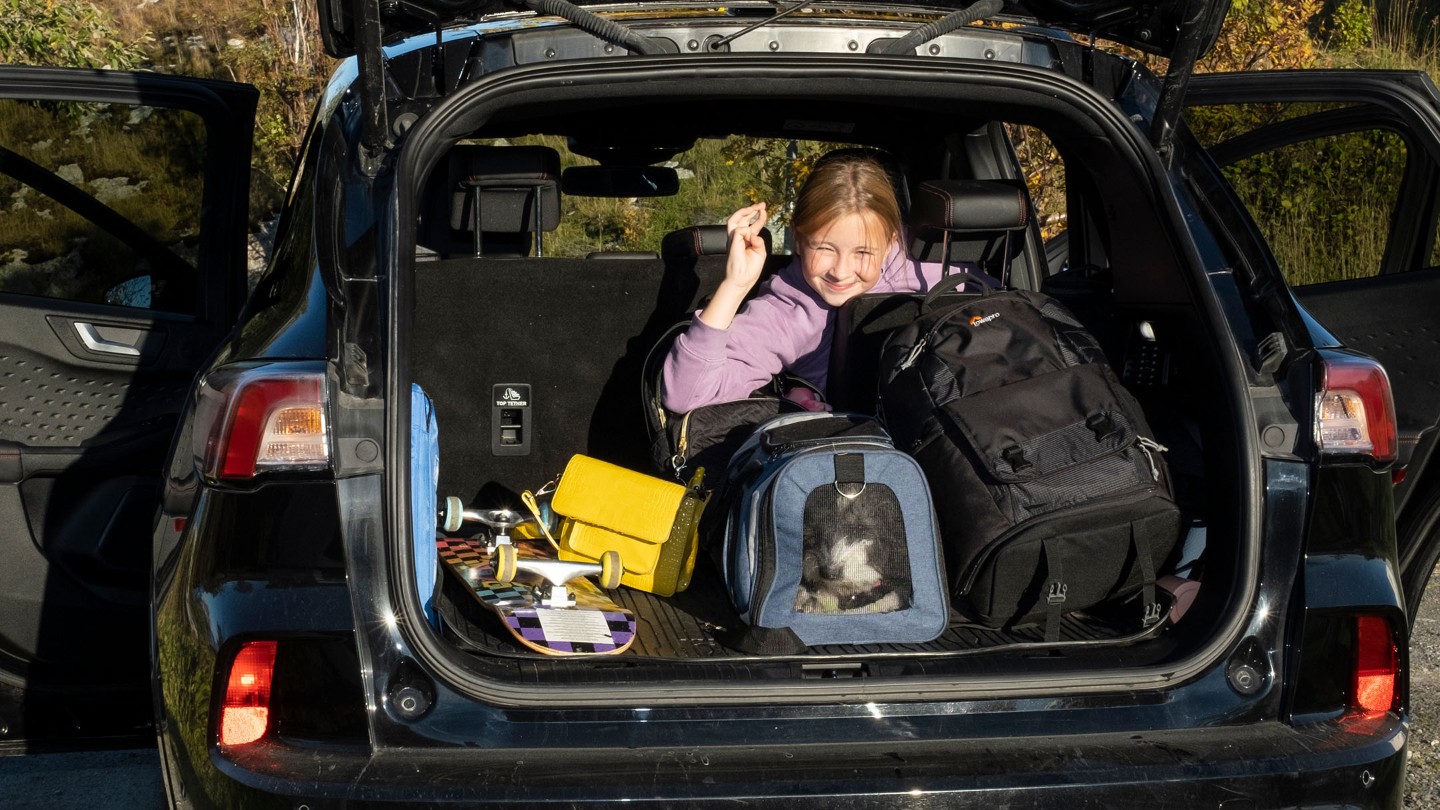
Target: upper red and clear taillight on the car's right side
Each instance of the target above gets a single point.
(1356, 411)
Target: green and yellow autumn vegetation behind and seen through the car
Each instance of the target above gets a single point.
(276, 47)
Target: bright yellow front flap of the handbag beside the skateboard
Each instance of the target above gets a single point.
(621, 501)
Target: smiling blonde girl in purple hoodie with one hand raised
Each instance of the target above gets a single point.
(847, 227)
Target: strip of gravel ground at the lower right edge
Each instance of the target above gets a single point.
(1423, 789)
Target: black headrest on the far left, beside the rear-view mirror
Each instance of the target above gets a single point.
(508, 182)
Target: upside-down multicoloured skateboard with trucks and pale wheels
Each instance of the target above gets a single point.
(548, 605)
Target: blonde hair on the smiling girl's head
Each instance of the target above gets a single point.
(842, 187)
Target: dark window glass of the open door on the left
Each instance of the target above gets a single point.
(100, 204)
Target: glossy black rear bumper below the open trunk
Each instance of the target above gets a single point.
(1353, 763)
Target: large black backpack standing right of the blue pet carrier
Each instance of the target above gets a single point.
(1052, 495)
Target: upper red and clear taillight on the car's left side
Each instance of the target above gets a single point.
(258, 420)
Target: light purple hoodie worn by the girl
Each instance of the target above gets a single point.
(786, 328)
